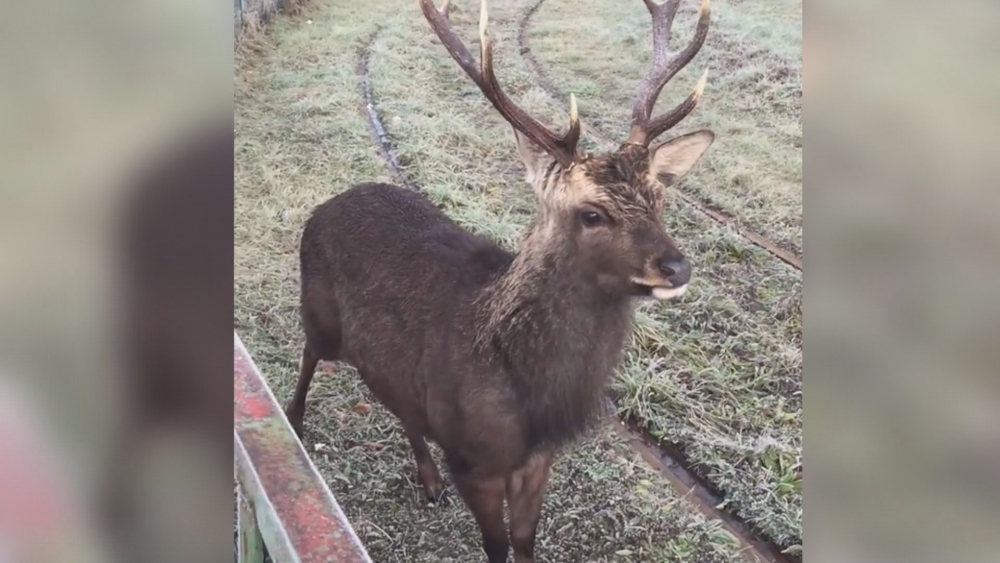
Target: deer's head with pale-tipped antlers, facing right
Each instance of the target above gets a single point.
(607, 208)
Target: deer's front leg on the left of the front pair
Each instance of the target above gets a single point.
(484, 497)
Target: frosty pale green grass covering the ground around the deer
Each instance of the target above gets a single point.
(718, 373)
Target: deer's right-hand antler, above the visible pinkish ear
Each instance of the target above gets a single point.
(662, 69)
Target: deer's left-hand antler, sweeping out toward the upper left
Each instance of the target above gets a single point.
(563, 148)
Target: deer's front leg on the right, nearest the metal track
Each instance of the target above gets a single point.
(525, 491)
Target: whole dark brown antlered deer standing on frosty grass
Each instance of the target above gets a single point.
(502, 358)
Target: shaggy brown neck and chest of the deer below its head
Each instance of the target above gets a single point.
(557, 336)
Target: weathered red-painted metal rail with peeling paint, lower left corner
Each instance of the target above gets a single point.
(298, 516)
